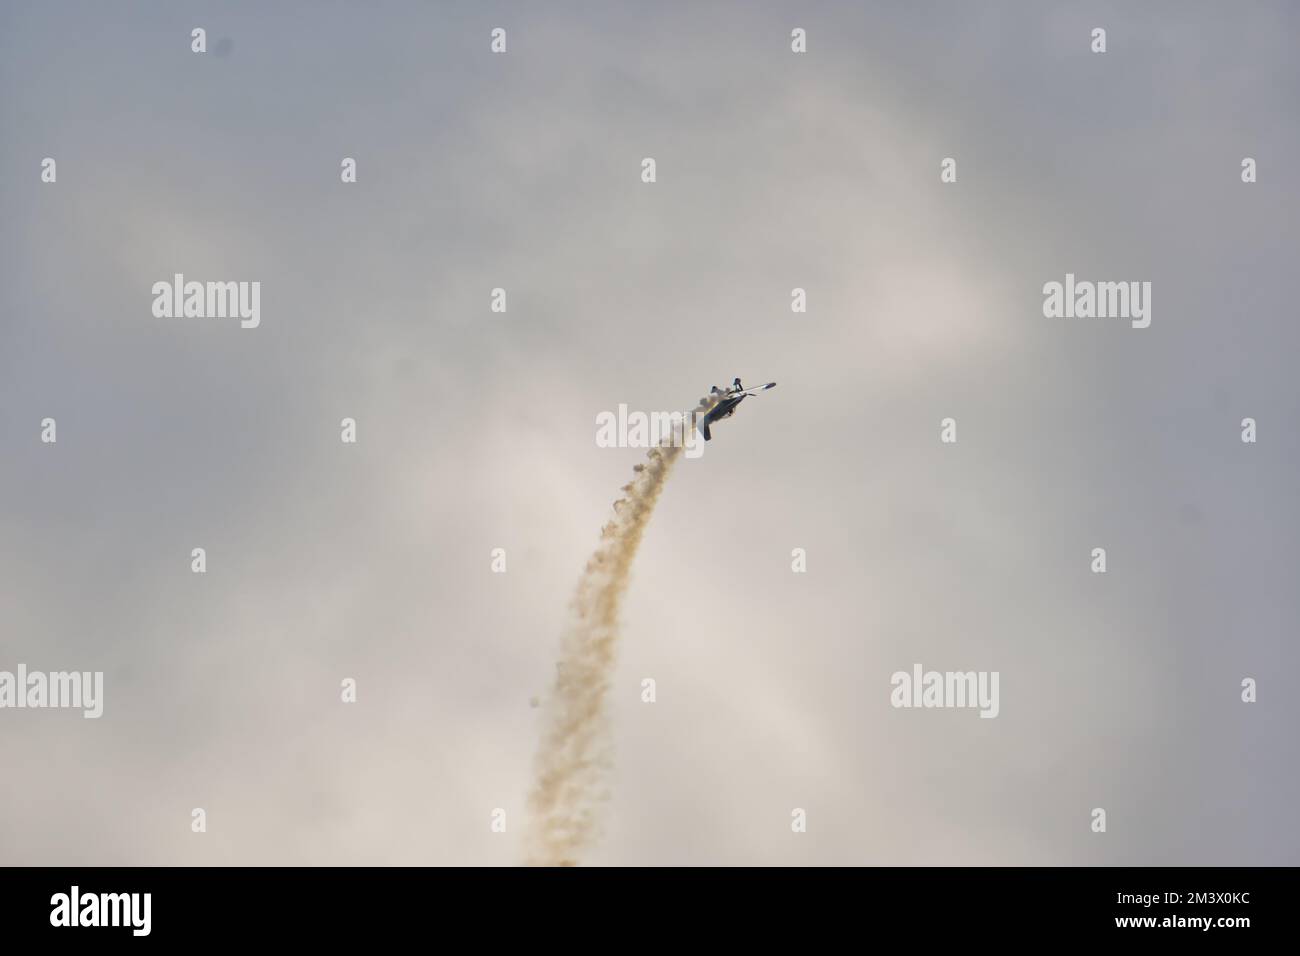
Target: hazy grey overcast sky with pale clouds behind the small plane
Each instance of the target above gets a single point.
(476, 430)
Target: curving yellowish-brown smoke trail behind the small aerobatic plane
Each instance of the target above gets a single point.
(575, 745)
